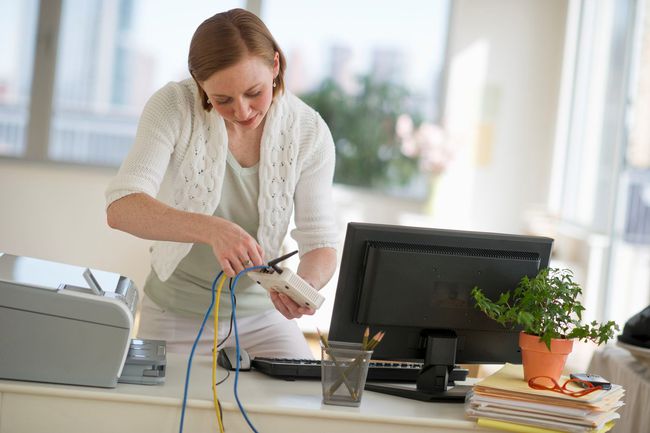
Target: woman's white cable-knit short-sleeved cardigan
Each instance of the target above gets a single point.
(179, 156)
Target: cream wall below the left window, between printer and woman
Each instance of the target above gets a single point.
(56, 213)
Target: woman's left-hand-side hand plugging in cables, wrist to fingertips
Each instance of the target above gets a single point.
(234, 248)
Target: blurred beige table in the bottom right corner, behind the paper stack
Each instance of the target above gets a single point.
(619, 366)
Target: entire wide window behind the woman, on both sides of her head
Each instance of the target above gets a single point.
(100, 60)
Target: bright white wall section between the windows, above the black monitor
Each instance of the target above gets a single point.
(503, 87)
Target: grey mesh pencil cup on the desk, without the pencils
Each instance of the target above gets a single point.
(344, 368)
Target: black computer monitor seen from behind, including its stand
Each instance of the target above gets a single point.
(415, 283)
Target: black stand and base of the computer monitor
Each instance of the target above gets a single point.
(436, 381)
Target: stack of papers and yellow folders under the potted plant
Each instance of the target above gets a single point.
(505, 401)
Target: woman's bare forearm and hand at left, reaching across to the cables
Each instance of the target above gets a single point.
(146, 217)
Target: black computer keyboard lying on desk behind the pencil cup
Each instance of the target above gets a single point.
(387, 371)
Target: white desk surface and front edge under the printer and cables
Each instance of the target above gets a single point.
(272, 405)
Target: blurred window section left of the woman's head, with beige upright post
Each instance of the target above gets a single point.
(110, 56)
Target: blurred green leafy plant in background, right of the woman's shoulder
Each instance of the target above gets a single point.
(368, 151)
